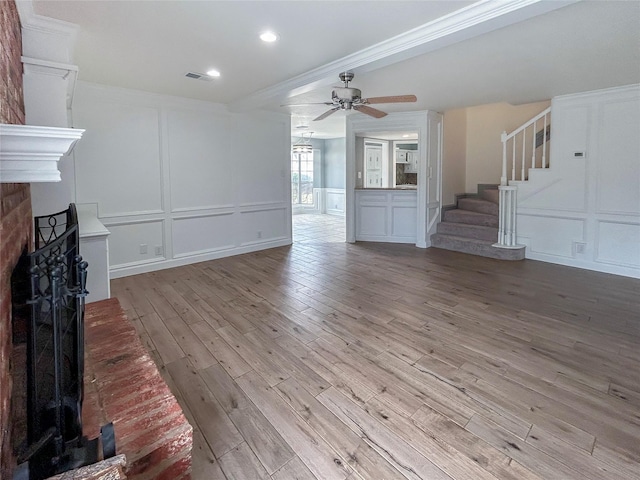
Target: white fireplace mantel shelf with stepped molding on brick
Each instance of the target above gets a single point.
(30, 154)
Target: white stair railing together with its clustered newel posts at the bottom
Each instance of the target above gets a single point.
(529, 143)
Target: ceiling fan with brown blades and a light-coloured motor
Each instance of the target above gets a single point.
(347, 98)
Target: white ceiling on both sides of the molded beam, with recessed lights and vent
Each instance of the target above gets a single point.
(150, 45)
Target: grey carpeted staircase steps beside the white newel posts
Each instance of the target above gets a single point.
(472, 227)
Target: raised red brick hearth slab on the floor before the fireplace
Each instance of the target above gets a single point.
(151, 429)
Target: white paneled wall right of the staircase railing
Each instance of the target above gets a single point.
(585, 212)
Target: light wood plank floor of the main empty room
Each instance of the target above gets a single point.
(333, 361)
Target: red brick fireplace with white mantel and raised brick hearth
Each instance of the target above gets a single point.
(124, 384)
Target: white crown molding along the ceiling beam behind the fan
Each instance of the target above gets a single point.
(468, 22)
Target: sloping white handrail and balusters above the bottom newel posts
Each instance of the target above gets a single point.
(526, 146)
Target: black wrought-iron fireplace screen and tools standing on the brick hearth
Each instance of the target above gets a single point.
(48, 296)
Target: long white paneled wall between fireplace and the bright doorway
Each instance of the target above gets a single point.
(178, 181)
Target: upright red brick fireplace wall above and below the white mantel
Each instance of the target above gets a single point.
(15, 215)
